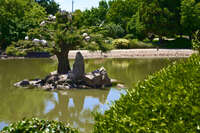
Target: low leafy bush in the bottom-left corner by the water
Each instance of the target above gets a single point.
(42, 126)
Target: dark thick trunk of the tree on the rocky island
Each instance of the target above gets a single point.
(63, 62)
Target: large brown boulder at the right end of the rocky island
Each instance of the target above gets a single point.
(97, 79)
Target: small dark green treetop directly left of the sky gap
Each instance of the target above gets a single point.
(50, 6)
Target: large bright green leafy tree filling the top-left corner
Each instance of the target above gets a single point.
(16, 18)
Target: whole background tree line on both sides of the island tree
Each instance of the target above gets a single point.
(114, 18)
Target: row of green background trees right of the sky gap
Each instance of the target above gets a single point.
(142, 17)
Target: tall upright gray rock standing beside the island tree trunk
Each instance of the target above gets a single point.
(78, 67)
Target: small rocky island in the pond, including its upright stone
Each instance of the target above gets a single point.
(76, 78)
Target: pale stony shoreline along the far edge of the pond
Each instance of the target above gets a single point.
(124, 53)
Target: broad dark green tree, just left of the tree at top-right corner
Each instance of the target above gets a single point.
(159, 18)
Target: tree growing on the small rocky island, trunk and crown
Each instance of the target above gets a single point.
(66, 37)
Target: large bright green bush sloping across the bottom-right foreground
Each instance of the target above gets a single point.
(166, 102)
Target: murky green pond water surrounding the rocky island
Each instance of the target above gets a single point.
(73, 106)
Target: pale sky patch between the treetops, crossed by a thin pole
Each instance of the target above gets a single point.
(78, 4)
